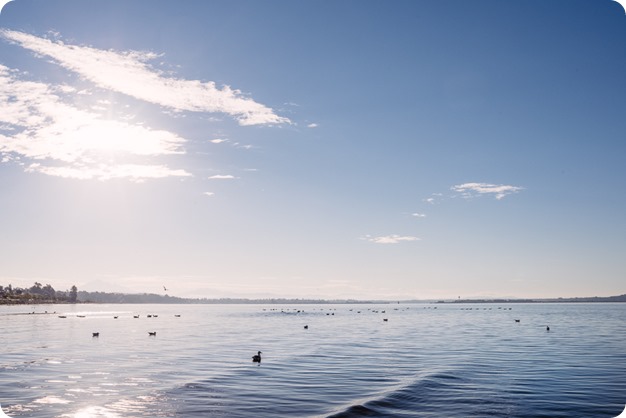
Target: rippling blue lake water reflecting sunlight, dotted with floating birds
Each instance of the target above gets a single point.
(426, 360)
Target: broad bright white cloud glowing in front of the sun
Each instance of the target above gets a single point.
(48, 135)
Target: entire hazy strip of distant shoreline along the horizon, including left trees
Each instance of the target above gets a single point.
(38, 294)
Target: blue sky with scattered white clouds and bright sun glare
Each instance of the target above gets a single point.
(365, 149)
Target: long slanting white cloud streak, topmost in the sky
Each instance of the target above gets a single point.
(129, 73)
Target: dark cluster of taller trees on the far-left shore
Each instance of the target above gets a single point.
(37, 293)
